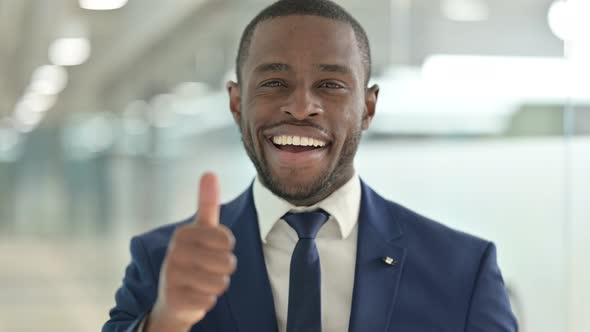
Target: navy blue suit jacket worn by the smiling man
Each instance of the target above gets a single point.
(444, 280)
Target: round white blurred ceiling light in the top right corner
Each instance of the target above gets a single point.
(570, 20)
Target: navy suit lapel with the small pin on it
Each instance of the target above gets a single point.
(375, 282)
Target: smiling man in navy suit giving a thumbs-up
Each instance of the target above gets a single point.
(309, 246)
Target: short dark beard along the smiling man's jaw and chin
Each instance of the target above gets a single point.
(327, 182)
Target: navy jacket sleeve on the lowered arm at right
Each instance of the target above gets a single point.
(490, 309)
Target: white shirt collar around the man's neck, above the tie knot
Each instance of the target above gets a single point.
(343, 205)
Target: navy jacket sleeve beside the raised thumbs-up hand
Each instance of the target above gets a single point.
(136, 296)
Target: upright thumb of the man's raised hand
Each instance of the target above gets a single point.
(208, 213)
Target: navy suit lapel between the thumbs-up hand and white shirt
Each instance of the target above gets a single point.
(249, 295)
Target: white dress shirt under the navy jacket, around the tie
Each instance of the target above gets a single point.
(336, 242)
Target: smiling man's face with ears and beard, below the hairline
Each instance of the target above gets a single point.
(302, 105)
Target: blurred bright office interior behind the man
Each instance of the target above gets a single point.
(110, 110)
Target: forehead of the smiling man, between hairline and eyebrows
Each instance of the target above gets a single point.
(303, 42)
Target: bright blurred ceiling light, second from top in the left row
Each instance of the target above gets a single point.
(69, 51)
